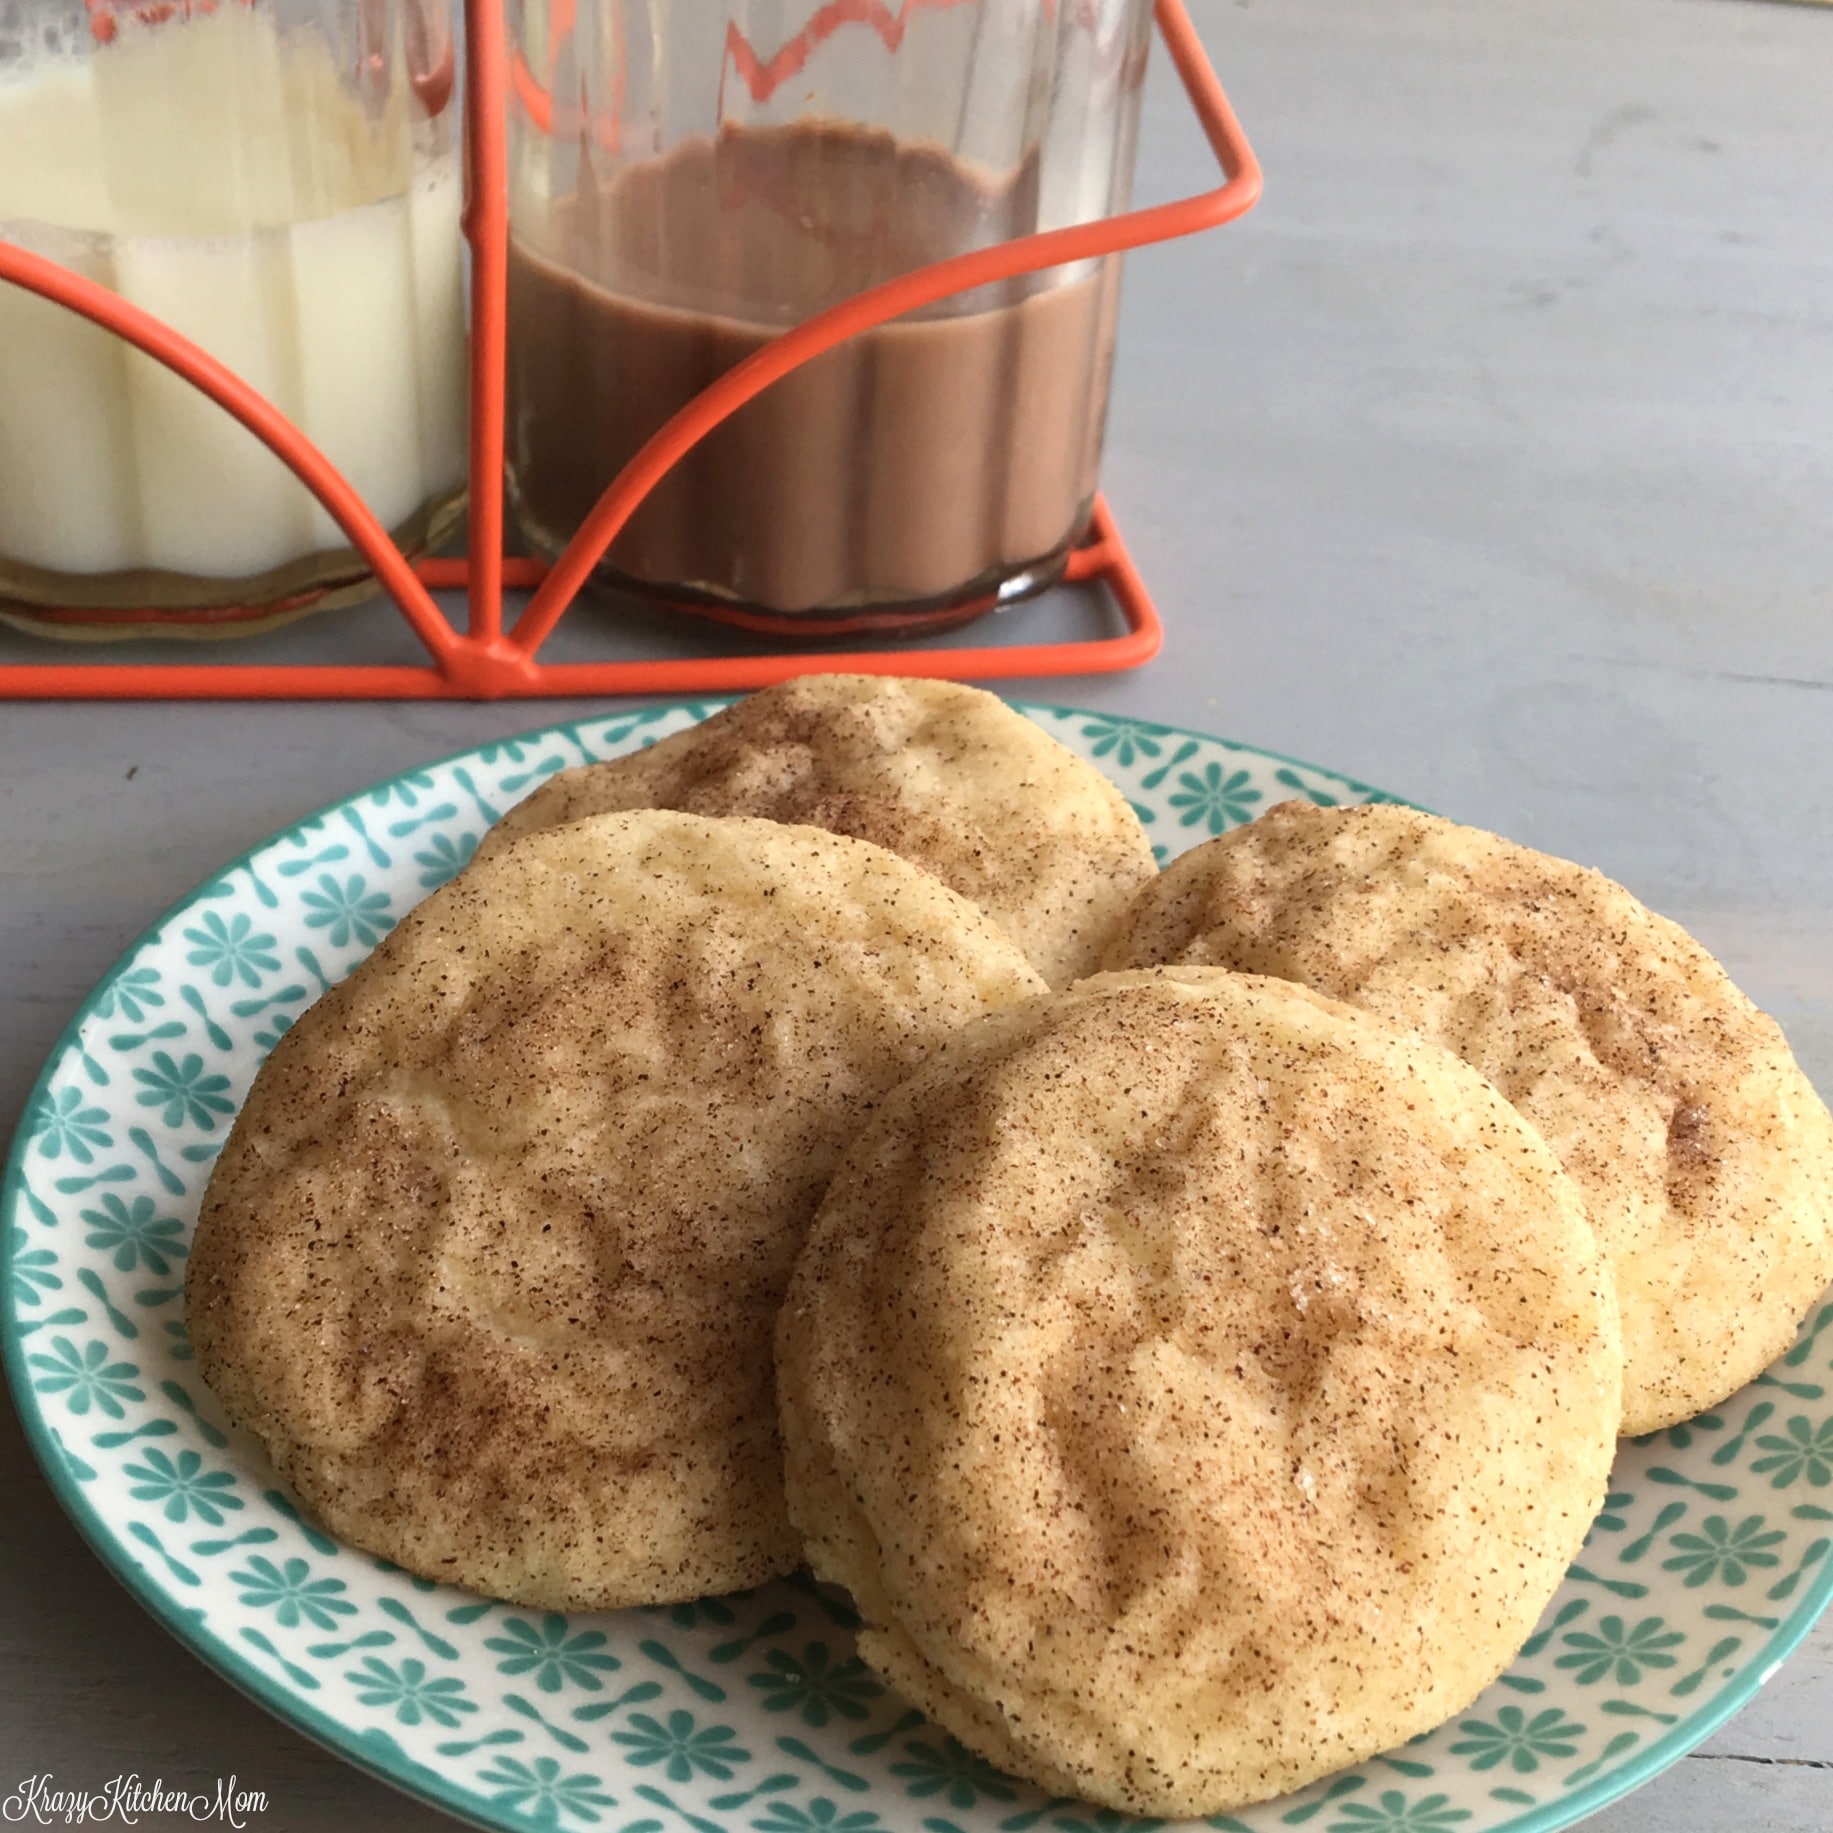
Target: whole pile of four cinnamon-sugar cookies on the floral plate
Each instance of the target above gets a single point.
(1202, 1374)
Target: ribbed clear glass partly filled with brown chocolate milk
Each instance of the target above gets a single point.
(690, 181)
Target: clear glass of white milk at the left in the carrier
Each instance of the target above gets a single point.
(281, 182)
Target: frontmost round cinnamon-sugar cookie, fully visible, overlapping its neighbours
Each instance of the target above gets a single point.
(1198, 1385)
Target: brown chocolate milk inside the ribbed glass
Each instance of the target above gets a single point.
(919, 466)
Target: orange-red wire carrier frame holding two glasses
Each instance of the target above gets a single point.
(488, 661)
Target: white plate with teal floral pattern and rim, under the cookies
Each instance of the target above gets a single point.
(749, 1713)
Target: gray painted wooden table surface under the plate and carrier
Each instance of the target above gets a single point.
(1491, 463)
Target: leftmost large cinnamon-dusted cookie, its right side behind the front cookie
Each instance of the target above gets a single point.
(494, 1253)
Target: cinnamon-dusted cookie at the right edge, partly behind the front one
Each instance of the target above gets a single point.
(1702, 1150)
